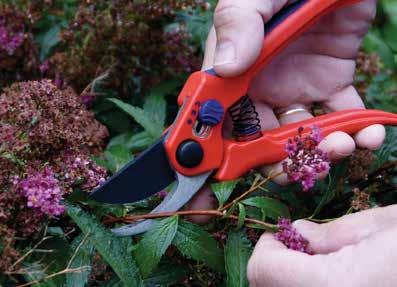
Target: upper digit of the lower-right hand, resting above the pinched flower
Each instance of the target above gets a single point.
(348, 230)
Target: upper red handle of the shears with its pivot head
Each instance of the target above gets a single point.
(203, 86)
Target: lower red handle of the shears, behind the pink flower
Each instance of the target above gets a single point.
(242, 157)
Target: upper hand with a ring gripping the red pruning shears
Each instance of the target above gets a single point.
(317, 68)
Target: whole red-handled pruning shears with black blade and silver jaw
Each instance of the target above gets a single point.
(193, 149)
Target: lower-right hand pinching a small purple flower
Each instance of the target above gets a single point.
(355, 250)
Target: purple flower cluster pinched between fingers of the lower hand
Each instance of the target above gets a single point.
(289, 236)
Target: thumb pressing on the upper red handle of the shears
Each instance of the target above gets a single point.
(239, 27)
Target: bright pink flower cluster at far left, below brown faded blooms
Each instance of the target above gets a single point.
(42, 191)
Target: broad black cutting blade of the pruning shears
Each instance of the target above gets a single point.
(148, 174)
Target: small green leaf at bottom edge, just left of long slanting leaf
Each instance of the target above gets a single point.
(82, 259)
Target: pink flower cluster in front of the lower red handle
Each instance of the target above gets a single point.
(305, 159)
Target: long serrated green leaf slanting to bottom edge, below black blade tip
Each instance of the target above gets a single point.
(112, 248)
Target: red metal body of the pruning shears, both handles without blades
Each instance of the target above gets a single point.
(231, 158)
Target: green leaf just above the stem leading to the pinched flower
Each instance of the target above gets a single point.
(273, 208)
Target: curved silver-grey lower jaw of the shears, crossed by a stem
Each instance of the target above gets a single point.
(185, 189)
